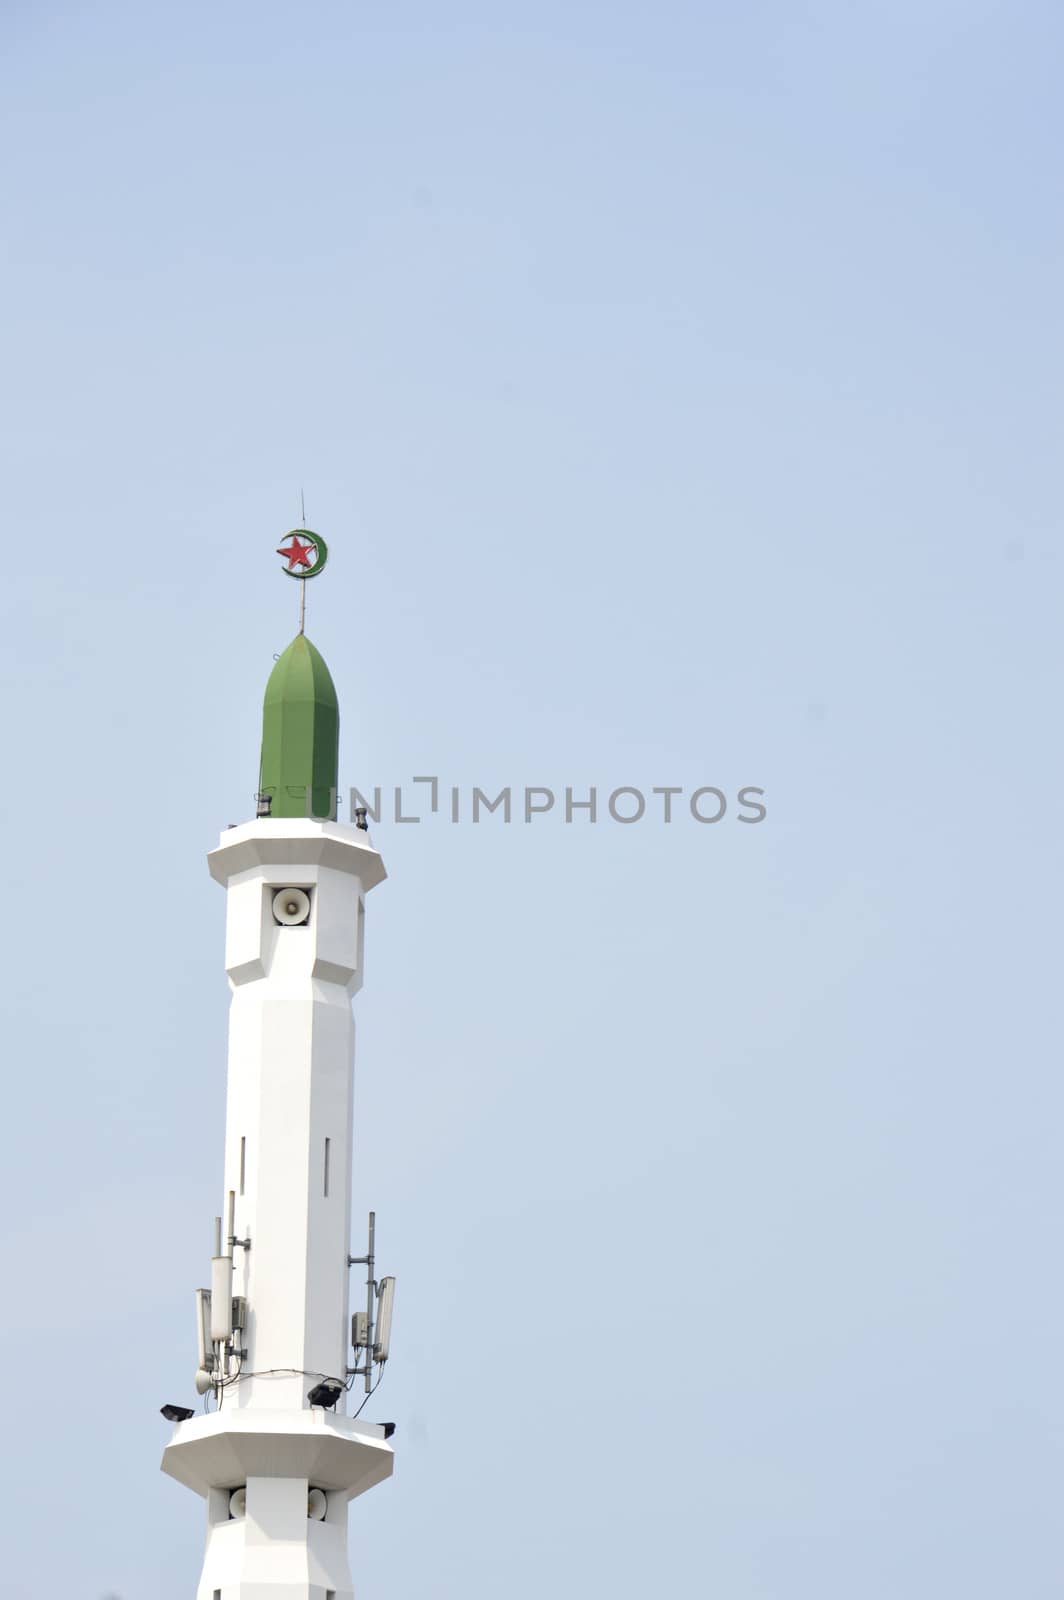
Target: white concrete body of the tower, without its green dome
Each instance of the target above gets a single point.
(290, 1087)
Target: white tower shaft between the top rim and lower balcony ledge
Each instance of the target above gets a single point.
(290, 1092)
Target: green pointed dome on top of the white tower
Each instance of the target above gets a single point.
(300, 734)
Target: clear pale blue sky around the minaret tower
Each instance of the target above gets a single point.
(679, 390)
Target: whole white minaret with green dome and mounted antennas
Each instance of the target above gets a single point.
(276, 1457)
